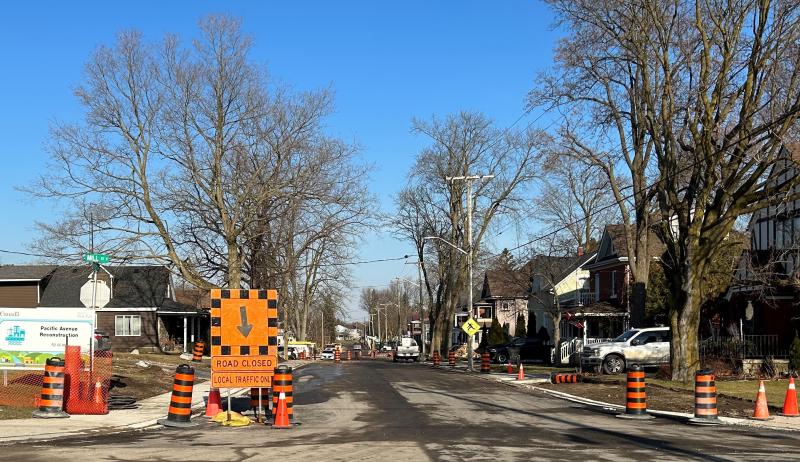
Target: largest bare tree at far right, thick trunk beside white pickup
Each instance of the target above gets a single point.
(712, 94)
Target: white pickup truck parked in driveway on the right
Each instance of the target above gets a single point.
(646, 347)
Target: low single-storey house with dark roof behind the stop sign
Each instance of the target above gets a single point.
(142, 312)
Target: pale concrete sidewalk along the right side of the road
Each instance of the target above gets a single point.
(776, 423)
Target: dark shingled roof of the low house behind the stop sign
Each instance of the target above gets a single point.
(134, 286)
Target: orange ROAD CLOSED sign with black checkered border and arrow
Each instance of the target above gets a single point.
(244, 337)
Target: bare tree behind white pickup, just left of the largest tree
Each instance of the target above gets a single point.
(598, 83)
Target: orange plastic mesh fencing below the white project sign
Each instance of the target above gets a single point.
(22, 387)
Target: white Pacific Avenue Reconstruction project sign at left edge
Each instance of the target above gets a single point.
(28, 336)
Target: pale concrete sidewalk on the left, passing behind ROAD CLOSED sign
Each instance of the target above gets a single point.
(149, 411)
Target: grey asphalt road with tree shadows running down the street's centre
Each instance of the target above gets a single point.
(376, 410)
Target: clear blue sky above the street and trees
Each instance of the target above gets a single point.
(386, 62)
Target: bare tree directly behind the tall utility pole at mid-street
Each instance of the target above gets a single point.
(461, 145)
